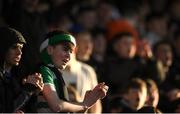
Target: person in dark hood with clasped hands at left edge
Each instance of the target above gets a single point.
(15, 90)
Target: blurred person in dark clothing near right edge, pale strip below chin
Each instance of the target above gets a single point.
(158, 68)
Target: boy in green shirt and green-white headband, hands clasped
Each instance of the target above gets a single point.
(56, 52)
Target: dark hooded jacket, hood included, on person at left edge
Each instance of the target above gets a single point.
(13, 96)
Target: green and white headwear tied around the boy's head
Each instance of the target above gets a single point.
(54, 40)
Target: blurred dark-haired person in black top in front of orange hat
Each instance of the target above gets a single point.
(119, 63)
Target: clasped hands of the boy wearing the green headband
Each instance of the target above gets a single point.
(99, 92)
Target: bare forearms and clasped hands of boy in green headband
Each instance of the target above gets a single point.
(58, 105)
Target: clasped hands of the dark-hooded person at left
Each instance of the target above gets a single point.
(36, 80)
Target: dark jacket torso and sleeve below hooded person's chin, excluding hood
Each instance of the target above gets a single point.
(13, 96)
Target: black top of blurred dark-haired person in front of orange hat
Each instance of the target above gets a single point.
(118, 72)
